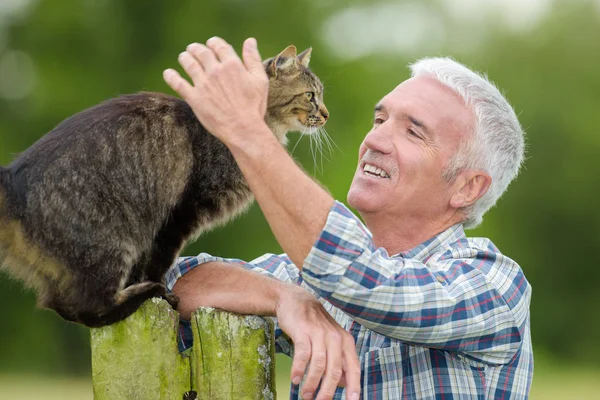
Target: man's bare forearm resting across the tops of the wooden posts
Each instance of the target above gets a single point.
(229, 287)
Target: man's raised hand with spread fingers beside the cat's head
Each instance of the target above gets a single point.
(228, 97)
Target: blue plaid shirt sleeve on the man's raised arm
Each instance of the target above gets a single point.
(469, 300)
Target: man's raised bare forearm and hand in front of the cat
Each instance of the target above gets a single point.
(229, 98)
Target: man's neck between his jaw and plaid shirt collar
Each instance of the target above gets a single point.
(398, 234)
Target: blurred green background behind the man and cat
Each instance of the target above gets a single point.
(60, 57)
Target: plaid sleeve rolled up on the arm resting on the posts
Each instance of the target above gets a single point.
(275, 266)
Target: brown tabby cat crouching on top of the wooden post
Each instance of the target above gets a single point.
(94, 213)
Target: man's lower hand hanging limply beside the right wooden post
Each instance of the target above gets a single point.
(319, 343)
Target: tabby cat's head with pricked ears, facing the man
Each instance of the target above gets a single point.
(295, 94)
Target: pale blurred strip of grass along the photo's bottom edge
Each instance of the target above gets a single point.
(552, 381)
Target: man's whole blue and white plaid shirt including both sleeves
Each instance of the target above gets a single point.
(448, 319)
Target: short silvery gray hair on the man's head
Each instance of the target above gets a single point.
(497, 144)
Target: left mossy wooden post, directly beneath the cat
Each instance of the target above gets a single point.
(138, 358)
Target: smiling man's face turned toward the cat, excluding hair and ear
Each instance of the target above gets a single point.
(417, 129)
